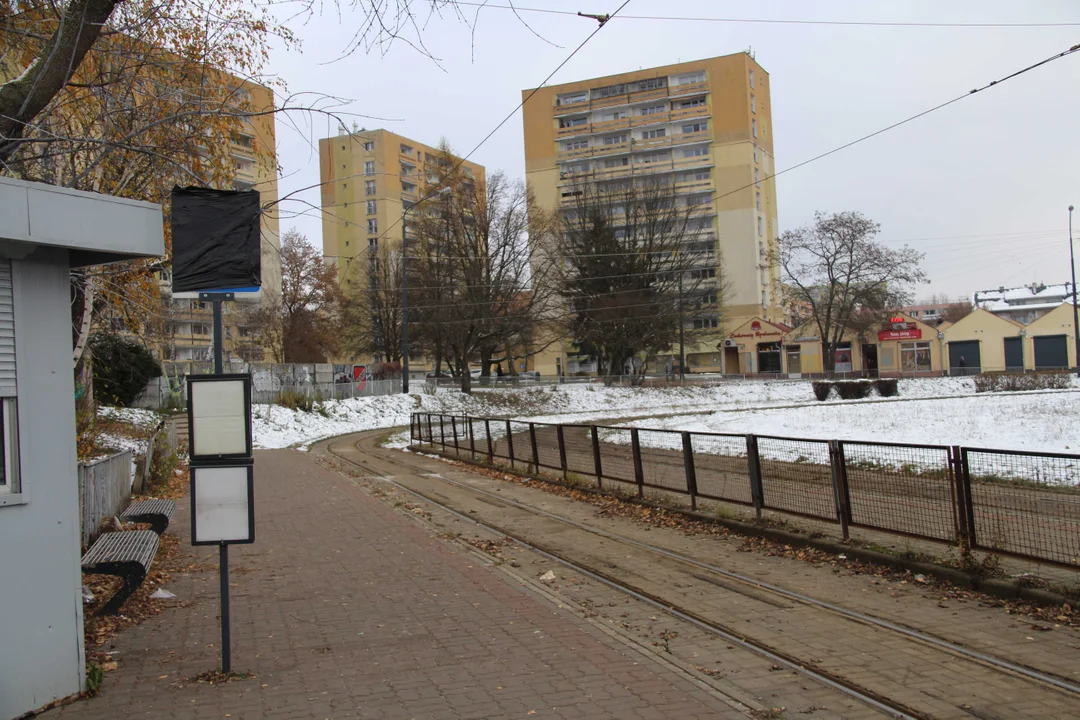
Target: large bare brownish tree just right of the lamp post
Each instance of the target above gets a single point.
(481, 265)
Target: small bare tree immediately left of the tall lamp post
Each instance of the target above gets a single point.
(373, 308)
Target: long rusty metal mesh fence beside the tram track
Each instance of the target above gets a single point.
(1023, 505)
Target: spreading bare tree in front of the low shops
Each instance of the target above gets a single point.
(840, 275)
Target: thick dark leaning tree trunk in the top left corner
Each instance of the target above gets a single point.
(24, 99)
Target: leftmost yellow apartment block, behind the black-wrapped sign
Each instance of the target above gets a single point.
(191, 323)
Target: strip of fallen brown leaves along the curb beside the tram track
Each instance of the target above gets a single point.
(1050, 617)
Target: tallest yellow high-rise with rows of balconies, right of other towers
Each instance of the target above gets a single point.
(707, 127)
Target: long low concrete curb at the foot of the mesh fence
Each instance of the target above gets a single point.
(1006, 590)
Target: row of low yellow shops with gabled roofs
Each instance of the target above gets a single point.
(898, 346)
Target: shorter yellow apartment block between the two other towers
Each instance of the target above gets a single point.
(369, 180)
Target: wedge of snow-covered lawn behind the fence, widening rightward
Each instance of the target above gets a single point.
(1039, 422)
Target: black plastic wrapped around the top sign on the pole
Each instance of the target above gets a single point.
(215, 240)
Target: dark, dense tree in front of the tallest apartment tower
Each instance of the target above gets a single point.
(637, 270)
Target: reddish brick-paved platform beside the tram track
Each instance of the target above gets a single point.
(345, 608)
